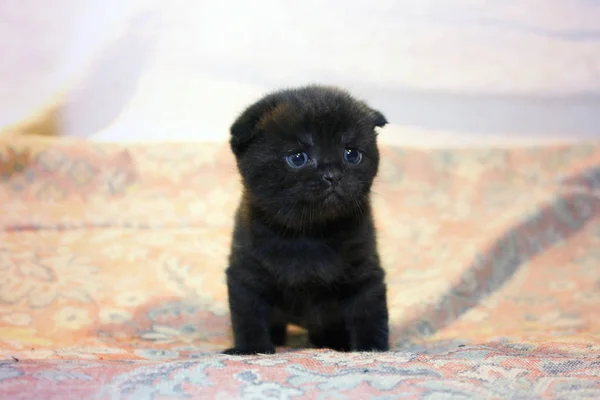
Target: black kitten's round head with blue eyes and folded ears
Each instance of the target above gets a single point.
(307, 155)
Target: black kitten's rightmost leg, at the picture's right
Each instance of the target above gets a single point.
(367, 318)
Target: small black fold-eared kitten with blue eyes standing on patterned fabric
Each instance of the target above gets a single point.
(304, 249)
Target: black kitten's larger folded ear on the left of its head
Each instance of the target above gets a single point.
(245, 128)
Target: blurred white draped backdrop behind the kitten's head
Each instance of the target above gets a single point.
(462, 72)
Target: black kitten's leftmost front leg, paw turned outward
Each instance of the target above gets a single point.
(250, 317)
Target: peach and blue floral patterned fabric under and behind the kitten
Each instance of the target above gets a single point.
(112, 284)
